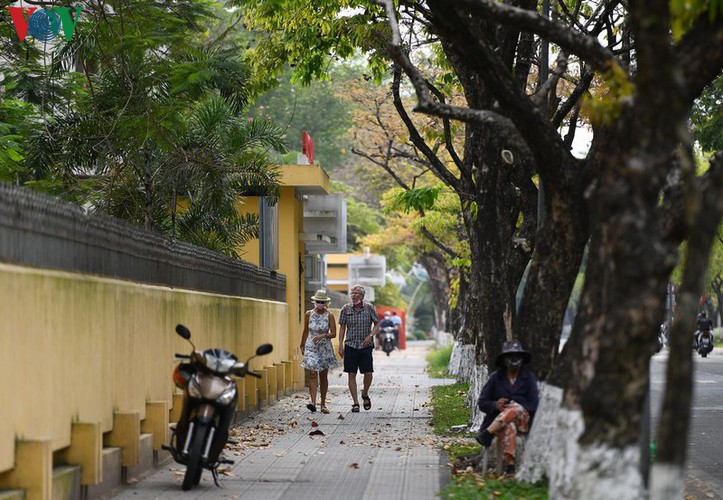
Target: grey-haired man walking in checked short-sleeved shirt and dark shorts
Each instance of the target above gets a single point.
(359, 324)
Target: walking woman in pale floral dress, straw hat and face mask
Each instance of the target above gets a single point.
(319, 356)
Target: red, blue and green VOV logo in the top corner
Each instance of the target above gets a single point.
(44, 24)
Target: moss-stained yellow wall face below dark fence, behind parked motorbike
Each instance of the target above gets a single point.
(78, 348)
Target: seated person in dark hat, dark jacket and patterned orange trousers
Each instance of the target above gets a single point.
(509, 400)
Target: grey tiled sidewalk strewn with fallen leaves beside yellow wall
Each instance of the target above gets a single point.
(388, 452)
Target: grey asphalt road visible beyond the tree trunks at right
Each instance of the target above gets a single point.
(704, 474)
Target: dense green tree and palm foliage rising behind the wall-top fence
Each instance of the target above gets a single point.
(152, 127)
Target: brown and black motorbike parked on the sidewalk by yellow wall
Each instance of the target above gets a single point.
(209, 404)
